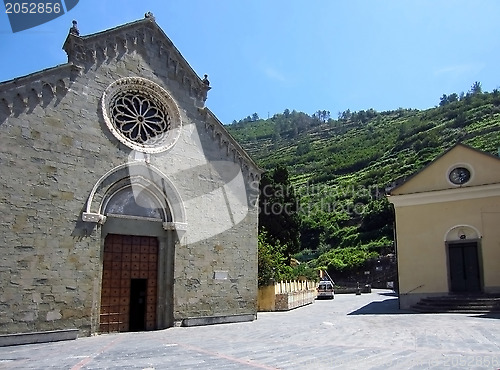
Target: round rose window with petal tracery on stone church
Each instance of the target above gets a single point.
(141, 114)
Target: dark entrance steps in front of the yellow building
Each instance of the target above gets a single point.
(468, 304)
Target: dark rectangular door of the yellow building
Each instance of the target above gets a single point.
(464, 268)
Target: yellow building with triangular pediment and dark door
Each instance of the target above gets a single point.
(448, 227)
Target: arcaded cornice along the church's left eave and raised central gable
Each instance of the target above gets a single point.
(84, 51)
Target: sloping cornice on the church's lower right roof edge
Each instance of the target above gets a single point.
(231, 147)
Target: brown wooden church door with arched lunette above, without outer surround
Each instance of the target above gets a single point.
(129, 286)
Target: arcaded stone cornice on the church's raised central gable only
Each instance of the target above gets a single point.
(138, 36)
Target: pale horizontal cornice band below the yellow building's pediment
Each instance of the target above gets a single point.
(448, 195)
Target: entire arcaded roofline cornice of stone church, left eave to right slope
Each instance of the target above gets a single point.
(85, 51)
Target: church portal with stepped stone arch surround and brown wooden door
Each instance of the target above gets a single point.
(141, 215)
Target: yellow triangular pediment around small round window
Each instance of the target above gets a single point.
(434, 176)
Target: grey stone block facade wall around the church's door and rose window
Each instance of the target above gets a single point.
(54, 147)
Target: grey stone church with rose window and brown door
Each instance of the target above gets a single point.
(125, 204)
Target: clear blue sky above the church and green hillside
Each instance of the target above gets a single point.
(265, 56)
